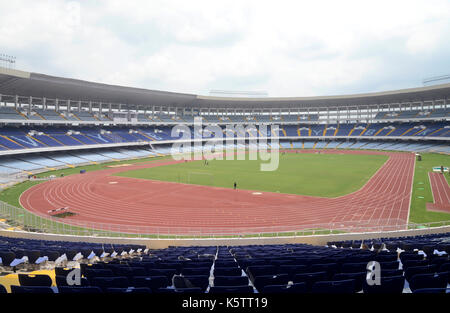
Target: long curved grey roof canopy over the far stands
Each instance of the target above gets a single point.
(14, 82)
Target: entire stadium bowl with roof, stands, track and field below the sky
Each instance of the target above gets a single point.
(114, 189)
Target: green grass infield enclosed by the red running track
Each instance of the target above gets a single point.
(323, 175)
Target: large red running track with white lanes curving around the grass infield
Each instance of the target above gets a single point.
(147, 206)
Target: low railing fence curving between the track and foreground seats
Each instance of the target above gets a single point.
(21, 219)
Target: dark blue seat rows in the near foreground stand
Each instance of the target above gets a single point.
(408, 264)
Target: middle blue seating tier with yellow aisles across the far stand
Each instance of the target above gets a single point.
(50, 136)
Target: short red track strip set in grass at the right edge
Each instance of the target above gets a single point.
(441, 193)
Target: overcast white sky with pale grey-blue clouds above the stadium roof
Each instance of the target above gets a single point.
(286, 48)
